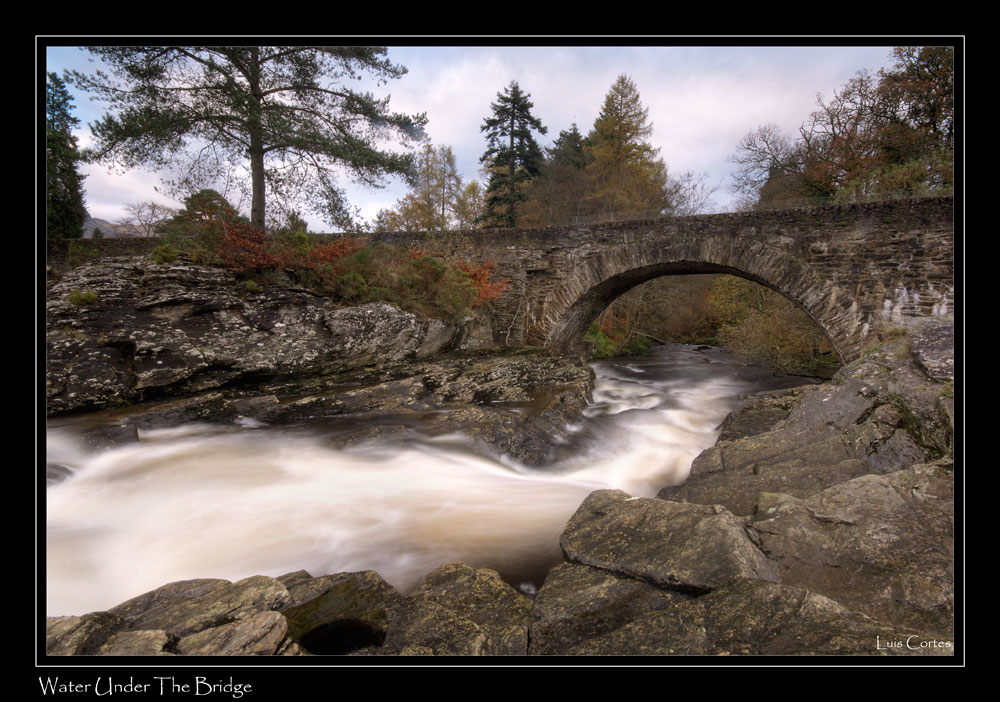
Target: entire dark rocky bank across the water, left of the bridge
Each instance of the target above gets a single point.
(158, 345)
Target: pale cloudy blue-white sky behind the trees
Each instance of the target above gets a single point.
(701, 99)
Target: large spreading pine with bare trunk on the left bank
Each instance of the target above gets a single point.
(285, 113)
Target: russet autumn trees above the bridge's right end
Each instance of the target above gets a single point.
(878, 136)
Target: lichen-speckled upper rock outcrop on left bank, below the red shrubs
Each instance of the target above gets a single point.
(150, 329)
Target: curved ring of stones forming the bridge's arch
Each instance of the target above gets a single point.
(599, 279)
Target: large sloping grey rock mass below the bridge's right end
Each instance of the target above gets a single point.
(878, 415)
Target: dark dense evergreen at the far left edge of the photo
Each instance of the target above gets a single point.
(65, 212)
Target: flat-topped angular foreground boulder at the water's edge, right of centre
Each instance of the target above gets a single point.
(684, 547)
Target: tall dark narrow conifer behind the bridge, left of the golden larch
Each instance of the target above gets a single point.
(512, 157)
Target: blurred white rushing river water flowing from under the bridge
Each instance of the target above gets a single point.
(201, 501)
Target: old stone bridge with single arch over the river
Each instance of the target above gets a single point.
(850, 267)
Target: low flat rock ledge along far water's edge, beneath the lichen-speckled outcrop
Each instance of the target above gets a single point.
(519, 404)
